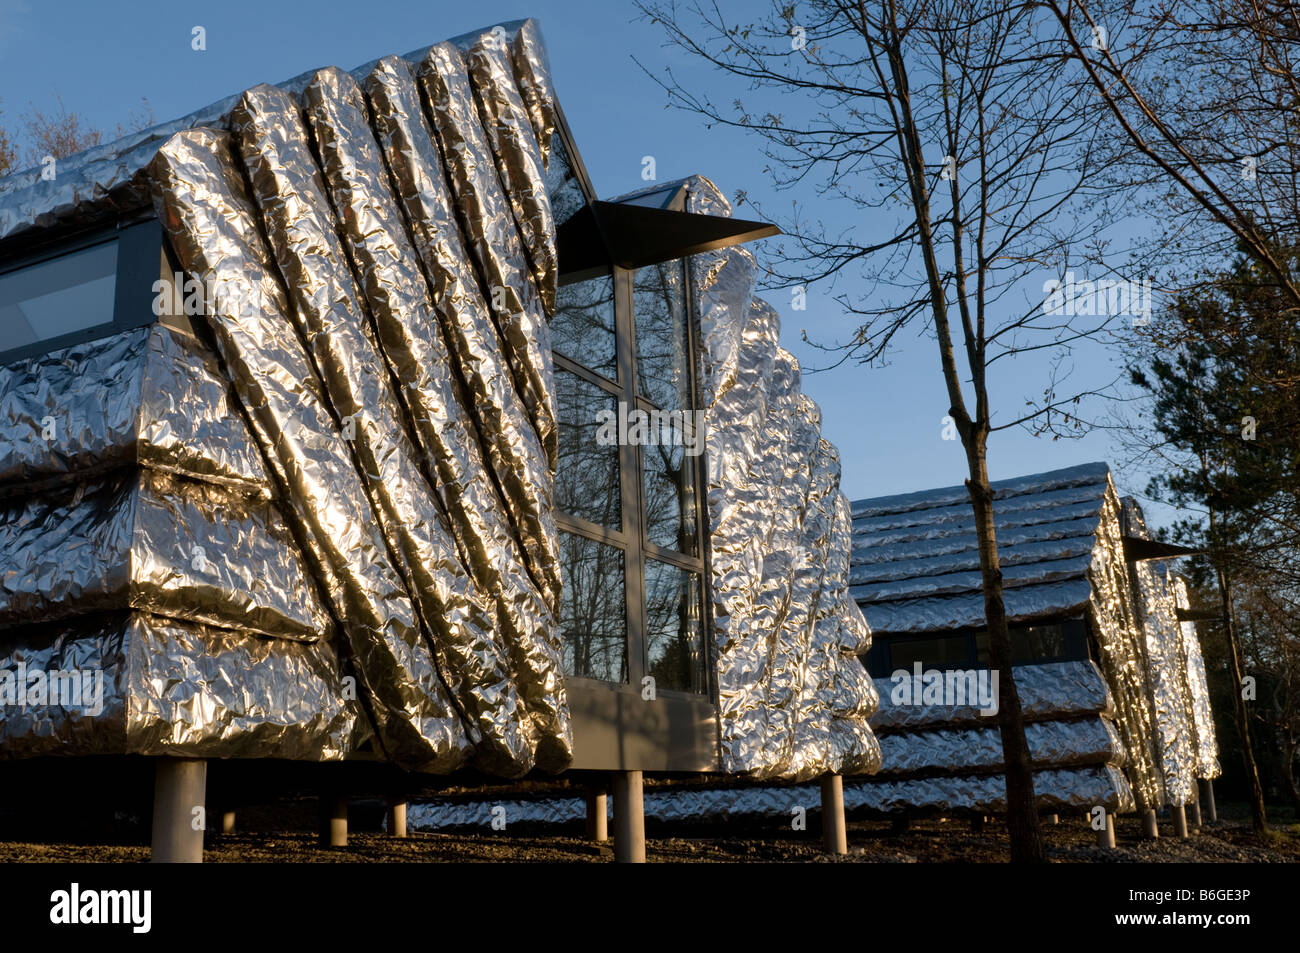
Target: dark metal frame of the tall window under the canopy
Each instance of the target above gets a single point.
(631, 538)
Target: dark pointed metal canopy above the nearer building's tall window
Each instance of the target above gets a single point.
(606, 235)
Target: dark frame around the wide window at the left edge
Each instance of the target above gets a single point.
(141, 262)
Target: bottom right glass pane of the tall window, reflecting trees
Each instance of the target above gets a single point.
(675, 631)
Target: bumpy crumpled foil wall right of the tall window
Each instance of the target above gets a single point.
(795, 700)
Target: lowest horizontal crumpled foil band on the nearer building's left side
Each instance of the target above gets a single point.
(162, 687)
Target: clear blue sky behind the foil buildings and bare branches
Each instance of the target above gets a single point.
(103, 63)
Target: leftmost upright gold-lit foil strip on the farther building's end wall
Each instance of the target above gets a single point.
(1123, 659)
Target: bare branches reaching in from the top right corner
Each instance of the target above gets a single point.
(1204, 97)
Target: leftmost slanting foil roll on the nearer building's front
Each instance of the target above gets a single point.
(215, 232)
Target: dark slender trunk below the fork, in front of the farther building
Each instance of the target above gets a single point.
(1022, 817)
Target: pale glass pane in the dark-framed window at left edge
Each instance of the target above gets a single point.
(58, 297)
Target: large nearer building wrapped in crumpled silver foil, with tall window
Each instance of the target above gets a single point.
(341, 421)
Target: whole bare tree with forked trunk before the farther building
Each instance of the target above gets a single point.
(967, 151)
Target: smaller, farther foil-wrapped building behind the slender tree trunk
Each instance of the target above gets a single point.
(1102, 661)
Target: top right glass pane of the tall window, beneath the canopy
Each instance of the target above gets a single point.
(664, 353)
